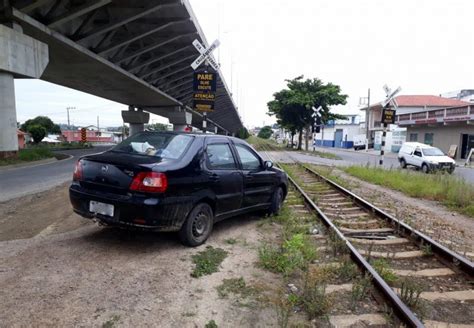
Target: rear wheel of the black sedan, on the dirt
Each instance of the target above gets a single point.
(198, 225)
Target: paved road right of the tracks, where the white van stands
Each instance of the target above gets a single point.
(359, 158)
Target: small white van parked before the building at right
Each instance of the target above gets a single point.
(425, 157)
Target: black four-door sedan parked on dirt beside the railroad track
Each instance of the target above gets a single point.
(176, 182)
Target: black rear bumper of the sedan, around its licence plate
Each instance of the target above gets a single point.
(133, 211)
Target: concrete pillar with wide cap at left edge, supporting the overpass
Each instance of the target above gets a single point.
(20, 57)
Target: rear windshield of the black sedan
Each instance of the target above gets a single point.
(164, 145)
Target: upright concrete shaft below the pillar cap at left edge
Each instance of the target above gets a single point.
(8, 134)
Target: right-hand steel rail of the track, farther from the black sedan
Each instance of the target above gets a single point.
(465, 264)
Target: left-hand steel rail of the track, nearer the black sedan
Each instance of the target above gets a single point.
(402, 310)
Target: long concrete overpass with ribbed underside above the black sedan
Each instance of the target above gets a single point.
(135, 52)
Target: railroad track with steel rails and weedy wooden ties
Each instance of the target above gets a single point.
(425, 283)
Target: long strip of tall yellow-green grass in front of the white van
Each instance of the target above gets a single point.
(450, 191)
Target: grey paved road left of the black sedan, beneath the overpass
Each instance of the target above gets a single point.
(17, 182)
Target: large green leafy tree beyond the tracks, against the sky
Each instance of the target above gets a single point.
(293, 106)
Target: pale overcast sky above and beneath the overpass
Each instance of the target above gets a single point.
(423, 46)
